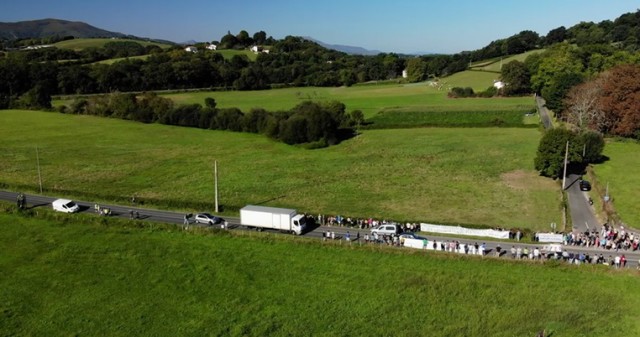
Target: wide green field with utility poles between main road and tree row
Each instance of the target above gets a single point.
(476, 176)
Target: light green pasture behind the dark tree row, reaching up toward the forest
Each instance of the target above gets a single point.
(369, 98)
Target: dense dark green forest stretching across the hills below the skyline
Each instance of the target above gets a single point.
(574, 56)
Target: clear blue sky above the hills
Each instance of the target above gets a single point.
(446, 26)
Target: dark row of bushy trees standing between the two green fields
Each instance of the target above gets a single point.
(310, 123)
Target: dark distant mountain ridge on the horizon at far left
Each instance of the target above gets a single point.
(51, 27)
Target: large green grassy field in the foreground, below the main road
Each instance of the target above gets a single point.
(79, 278)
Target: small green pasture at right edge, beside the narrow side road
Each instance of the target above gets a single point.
(620, 171)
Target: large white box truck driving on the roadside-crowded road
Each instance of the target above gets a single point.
(283, 219)
